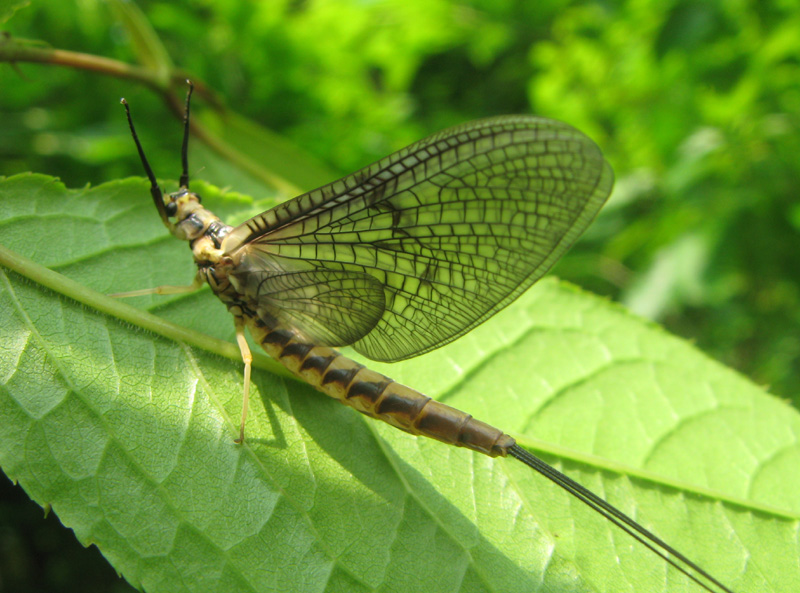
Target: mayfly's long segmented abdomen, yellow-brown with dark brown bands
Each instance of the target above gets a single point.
(376, 395)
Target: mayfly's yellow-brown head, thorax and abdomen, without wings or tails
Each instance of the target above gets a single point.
(243, 287)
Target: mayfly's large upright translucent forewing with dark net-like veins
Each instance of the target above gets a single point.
(451, 229)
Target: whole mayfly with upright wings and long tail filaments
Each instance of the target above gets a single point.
(400, 258)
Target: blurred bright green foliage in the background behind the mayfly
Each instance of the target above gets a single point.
(696, 105)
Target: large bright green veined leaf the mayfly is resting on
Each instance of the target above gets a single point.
(127, 432)
